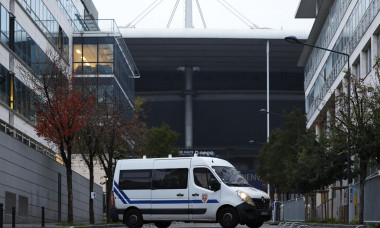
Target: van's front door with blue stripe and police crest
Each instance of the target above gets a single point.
(204, 202)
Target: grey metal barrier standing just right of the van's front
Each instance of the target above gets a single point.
(294, 210)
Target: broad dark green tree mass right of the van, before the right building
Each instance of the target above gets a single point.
(298, 168)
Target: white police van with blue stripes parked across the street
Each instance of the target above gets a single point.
(192, 189)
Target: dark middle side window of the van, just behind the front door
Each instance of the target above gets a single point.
(170, 178)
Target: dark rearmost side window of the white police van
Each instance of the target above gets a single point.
(135, 179)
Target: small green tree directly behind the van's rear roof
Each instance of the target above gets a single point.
(160, 142)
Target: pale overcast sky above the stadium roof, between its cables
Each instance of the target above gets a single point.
(274, 14)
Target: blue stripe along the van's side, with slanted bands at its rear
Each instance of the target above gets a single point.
(121, 194)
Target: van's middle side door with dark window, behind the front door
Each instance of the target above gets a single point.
(170, 192)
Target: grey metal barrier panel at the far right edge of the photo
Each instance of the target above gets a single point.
(372, 199)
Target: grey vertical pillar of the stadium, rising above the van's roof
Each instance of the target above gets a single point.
(189, 107)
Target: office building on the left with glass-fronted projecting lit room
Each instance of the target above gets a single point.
(30, 30)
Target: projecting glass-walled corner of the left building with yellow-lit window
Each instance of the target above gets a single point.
(103, 67)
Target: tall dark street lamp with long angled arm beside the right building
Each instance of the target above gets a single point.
(294, 40)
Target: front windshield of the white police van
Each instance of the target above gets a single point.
(230, 176)
